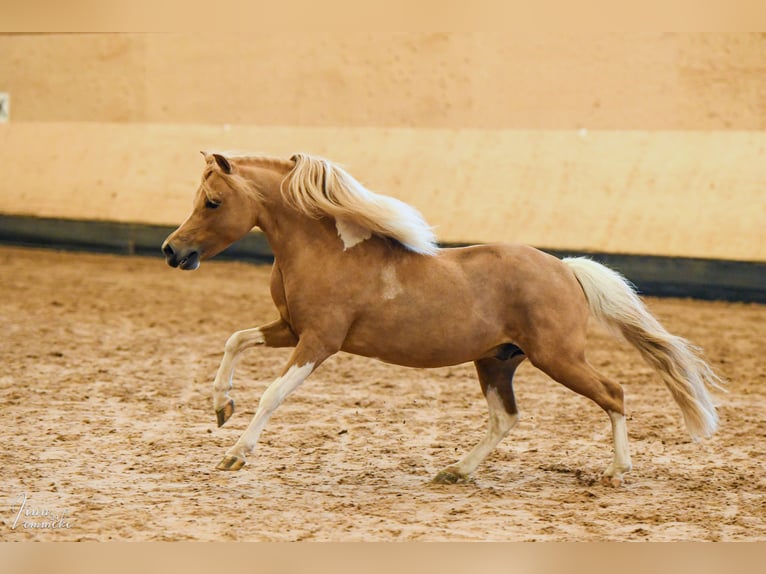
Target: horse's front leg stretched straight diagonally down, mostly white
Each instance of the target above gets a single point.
(305, 359)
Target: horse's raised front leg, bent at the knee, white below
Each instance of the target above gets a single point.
(274, 334)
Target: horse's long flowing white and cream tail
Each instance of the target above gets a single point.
(614, 303)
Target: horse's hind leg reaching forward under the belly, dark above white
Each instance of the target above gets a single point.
(496, 378)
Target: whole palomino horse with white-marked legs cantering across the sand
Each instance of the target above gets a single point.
(360, 272)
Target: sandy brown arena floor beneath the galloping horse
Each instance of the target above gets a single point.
(105, 389)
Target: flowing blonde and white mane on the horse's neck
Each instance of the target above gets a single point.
(317, 187)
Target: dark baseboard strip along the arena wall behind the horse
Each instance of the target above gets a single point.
(711, 279)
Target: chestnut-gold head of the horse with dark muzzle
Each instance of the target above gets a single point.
(223, 212)
